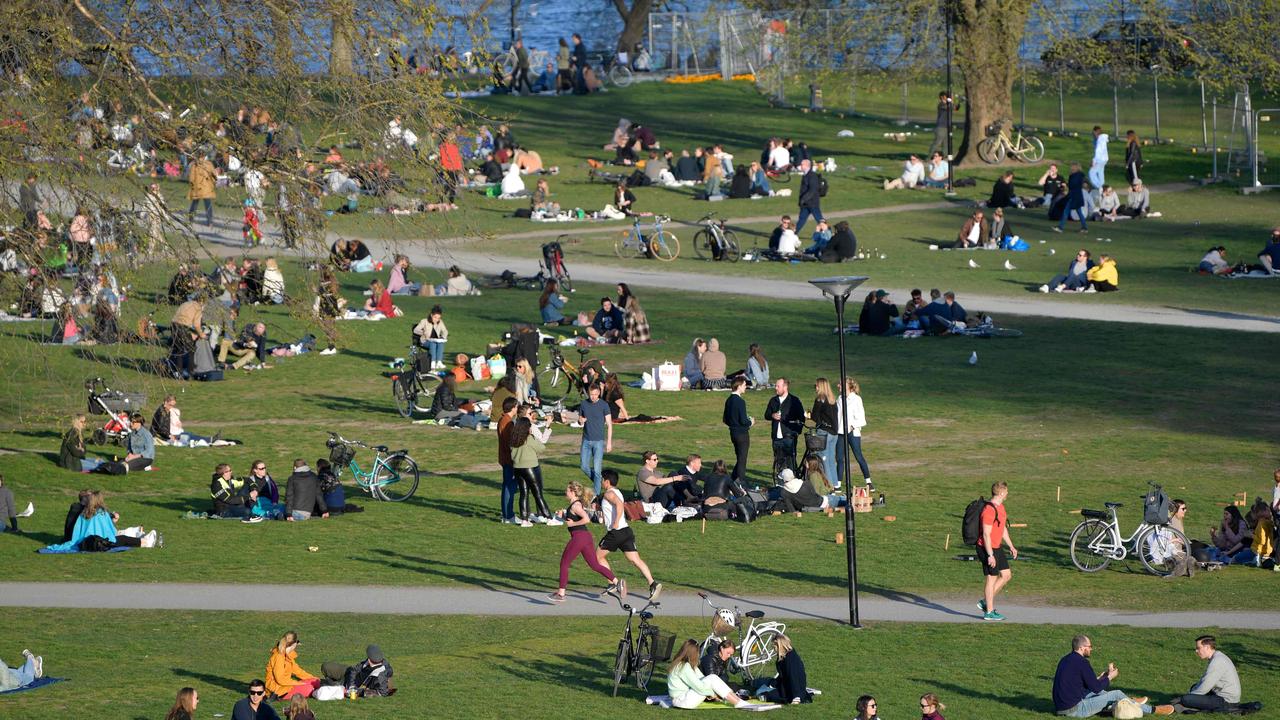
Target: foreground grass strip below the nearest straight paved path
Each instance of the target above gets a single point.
(467, 667)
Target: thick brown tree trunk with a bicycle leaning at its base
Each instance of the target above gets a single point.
(988, 34)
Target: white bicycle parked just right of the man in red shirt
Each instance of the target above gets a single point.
(1098, 541)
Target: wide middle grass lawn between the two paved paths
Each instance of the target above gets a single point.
(1094, 409)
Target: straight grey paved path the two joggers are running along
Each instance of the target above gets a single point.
(532, 603)
